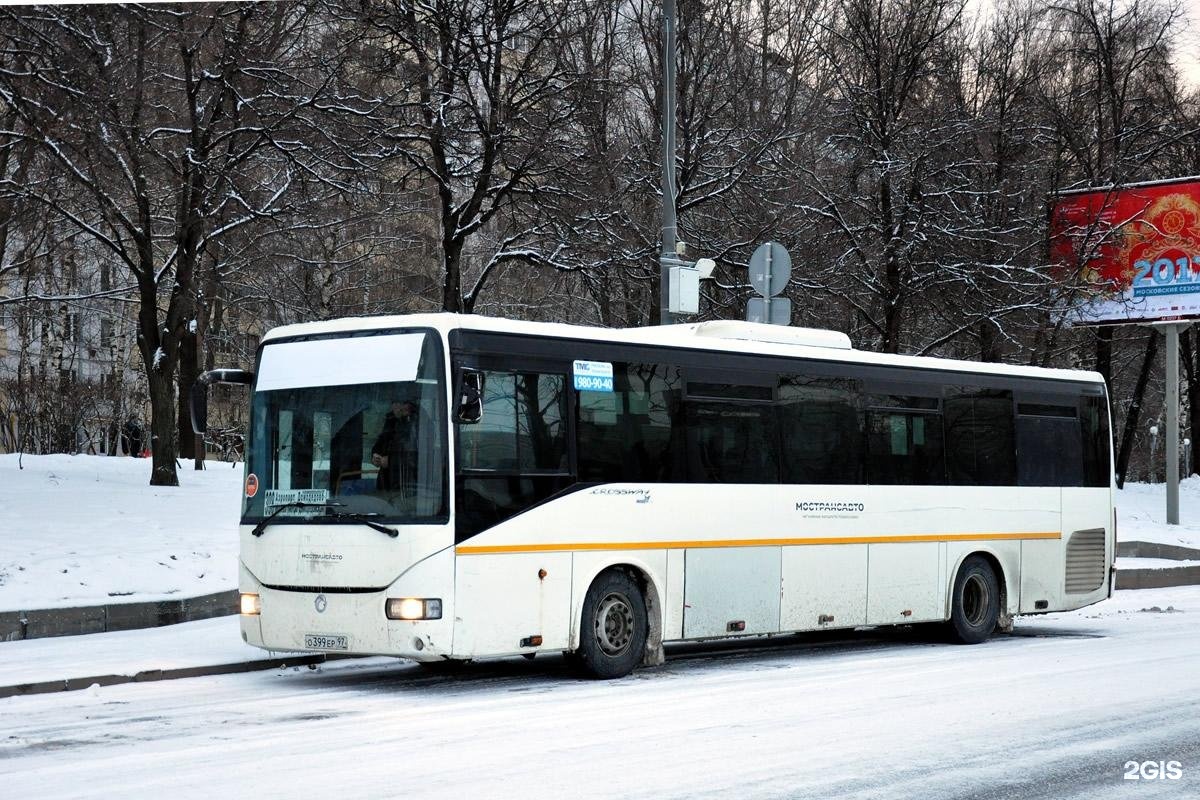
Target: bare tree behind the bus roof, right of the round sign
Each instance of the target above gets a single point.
(892, 164)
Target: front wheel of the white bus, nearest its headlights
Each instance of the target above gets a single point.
(613, 635)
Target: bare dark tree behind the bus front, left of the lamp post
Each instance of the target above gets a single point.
(475, 94)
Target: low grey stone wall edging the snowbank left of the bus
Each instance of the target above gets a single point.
(47, 623)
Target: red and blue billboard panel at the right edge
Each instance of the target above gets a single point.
(1133, 252)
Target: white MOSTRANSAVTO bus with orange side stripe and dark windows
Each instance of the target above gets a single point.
(447, 489)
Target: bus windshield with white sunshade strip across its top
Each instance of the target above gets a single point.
(349, 426)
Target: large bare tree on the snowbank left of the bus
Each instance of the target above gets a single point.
(175, 128)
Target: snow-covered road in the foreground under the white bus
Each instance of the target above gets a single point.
(1054, 712)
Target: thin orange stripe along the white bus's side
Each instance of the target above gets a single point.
(482, 550)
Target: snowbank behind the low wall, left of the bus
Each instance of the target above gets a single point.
(83, 531)
